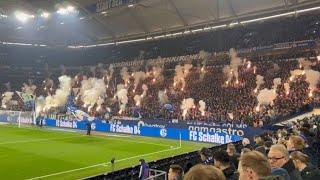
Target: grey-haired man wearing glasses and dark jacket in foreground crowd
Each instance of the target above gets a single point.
(279, 157)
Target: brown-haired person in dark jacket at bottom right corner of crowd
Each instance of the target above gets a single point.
(302, 163)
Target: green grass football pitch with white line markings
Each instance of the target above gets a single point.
(31, 153)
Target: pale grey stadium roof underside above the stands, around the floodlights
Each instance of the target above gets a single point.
(113, 20)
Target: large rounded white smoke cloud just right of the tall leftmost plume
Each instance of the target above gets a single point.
(91, 96)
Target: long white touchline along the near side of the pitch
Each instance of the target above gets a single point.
(103, 164)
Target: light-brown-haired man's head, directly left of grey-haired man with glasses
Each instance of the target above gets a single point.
(253, 165)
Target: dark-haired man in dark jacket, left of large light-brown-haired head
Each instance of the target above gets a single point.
(222, 161)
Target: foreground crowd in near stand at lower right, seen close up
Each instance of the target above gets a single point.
(288, 154)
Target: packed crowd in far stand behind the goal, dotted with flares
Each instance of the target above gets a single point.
(232, 102)
